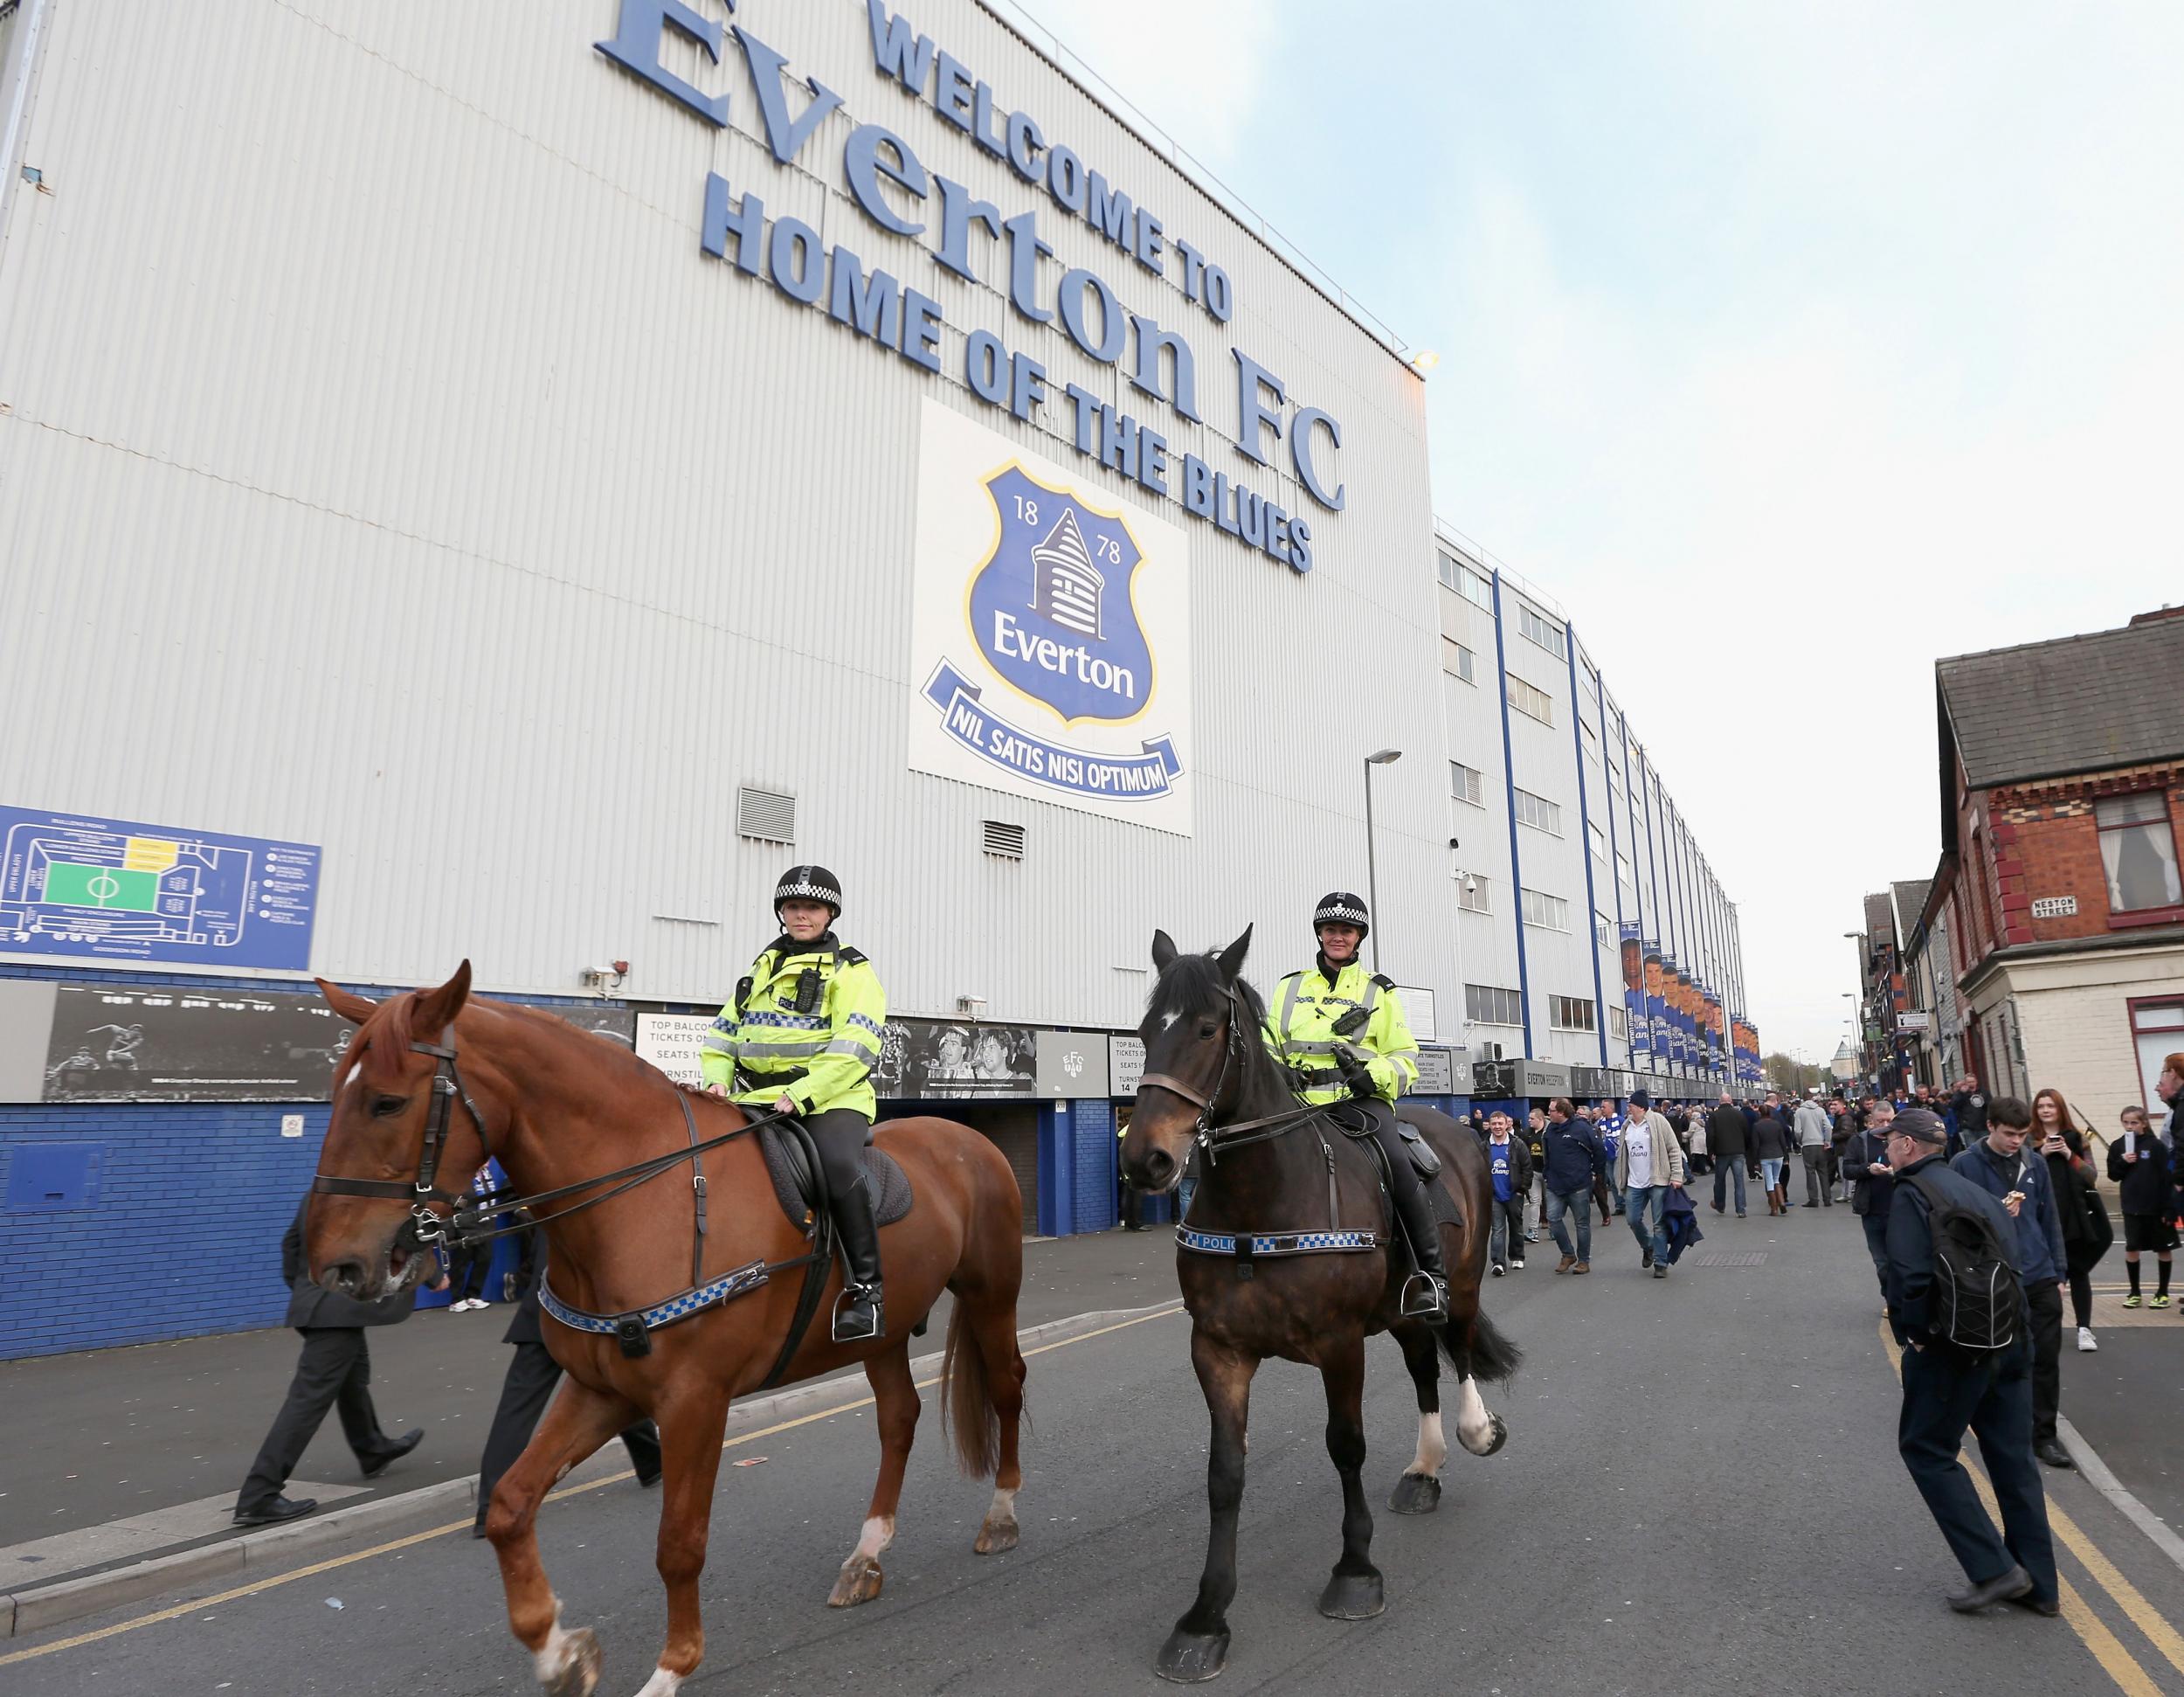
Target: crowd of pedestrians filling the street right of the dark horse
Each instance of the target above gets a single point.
(1980, 1215)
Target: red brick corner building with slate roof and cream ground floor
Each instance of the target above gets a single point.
(2063, 809)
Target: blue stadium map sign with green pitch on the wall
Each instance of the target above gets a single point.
(156, 894)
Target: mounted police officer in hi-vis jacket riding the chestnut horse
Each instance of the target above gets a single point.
(803, 1039)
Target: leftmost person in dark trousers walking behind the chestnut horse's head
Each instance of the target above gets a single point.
(335, 1370)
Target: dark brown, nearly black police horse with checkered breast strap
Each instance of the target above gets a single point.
(1290, 1176)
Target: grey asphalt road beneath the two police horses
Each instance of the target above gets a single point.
(1700, 1493)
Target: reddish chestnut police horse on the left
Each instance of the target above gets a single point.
(562, 1106)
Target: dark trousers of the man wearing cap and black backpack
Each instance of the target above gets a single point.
(1945, 1395)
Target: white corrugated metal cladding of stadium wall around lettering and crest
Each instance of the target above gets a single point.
(388, 468)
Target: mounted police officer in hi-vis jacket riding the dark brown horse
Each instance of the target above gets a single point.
(1344, 1039)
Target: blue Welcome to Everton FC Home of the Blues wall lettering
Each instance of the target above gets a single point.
(899, 193)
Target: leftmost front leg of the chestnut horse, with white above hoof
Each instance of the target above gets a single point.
(578, 1423)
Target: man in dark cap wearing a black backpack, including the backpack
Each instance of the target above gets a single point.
(1958, 1309)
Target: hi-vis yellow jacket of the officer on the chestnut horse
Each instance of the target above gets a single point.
(803, 1025)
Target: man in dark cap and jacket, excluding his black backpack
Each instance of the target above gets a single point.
(1949, 1390)
